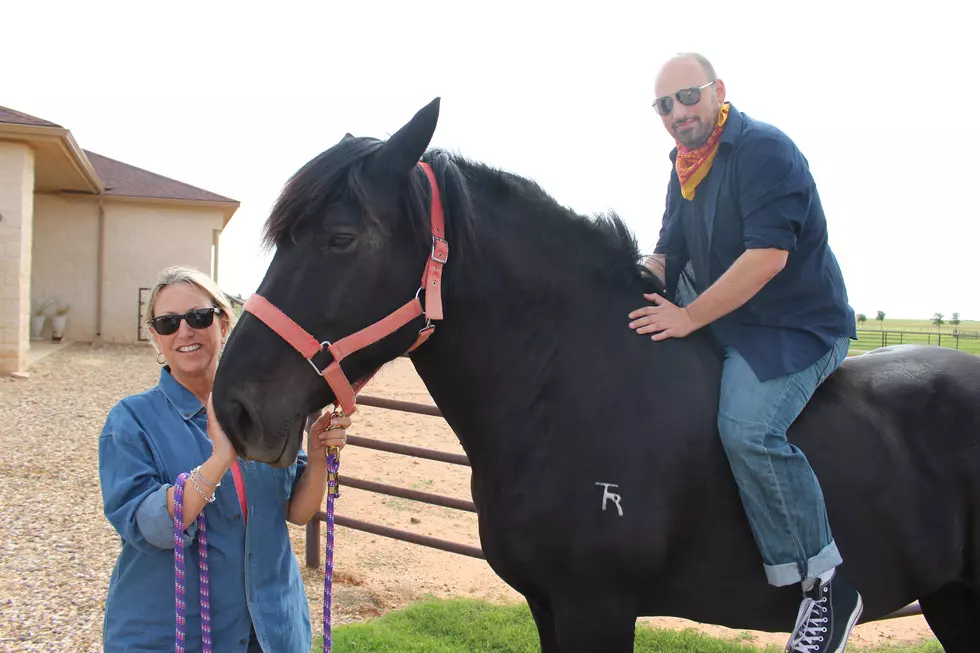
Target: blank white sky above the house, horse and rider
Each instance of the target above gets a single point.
(881, 100)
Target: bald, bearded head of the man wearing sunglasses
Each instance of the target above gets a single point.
(689, 125)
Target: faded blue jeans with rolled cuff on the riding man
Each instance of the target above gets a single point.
(779, 490)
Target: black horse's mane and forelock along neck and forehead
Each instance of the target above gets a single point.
(604, 240)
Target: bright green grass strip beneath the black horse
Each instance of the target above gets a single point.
(470, 626)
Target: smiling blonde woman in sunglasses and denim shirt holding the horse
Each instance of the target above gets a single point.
(257, 598)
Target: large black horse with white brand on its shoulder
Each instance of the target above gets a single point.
(602, 489)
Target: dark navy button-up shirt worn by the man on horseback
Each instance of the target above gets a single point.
(759, 193)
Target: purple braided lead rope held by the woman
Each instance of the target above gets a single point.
(333, 491)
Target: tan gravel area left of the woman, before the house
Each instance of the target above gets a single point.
(58, 550)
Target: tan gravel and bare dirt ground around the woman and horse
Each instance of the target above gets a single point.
(58, 550)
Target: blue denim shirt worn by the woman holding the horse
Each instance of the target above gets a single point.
(147, 441)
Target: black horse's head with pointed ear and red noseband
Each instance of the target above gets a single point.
(349, 251)
